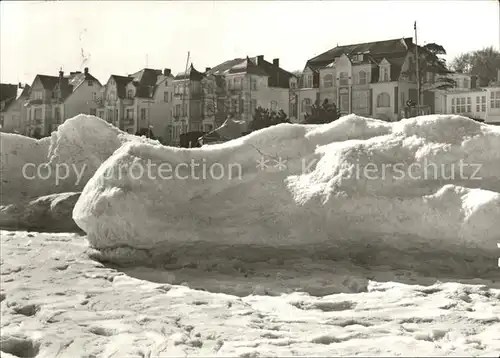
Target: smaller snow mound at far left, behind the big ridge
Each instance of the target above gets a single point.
(62, 163)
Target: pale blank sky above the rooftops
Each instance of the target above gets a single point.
(121, 37)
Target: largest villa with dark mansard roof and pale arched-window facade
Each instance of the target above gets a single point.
(372, 79)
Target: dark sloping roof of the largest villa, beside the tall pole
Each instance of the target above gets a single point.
(380, 49)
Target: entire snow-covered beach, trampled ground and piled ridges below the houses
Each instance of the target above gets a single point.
(276, 263)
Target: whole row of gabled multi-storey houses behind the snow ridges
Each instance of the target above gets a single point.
(374, 79)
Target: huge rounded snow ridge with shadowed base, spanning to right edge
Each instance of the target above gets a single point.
(425, 183)
